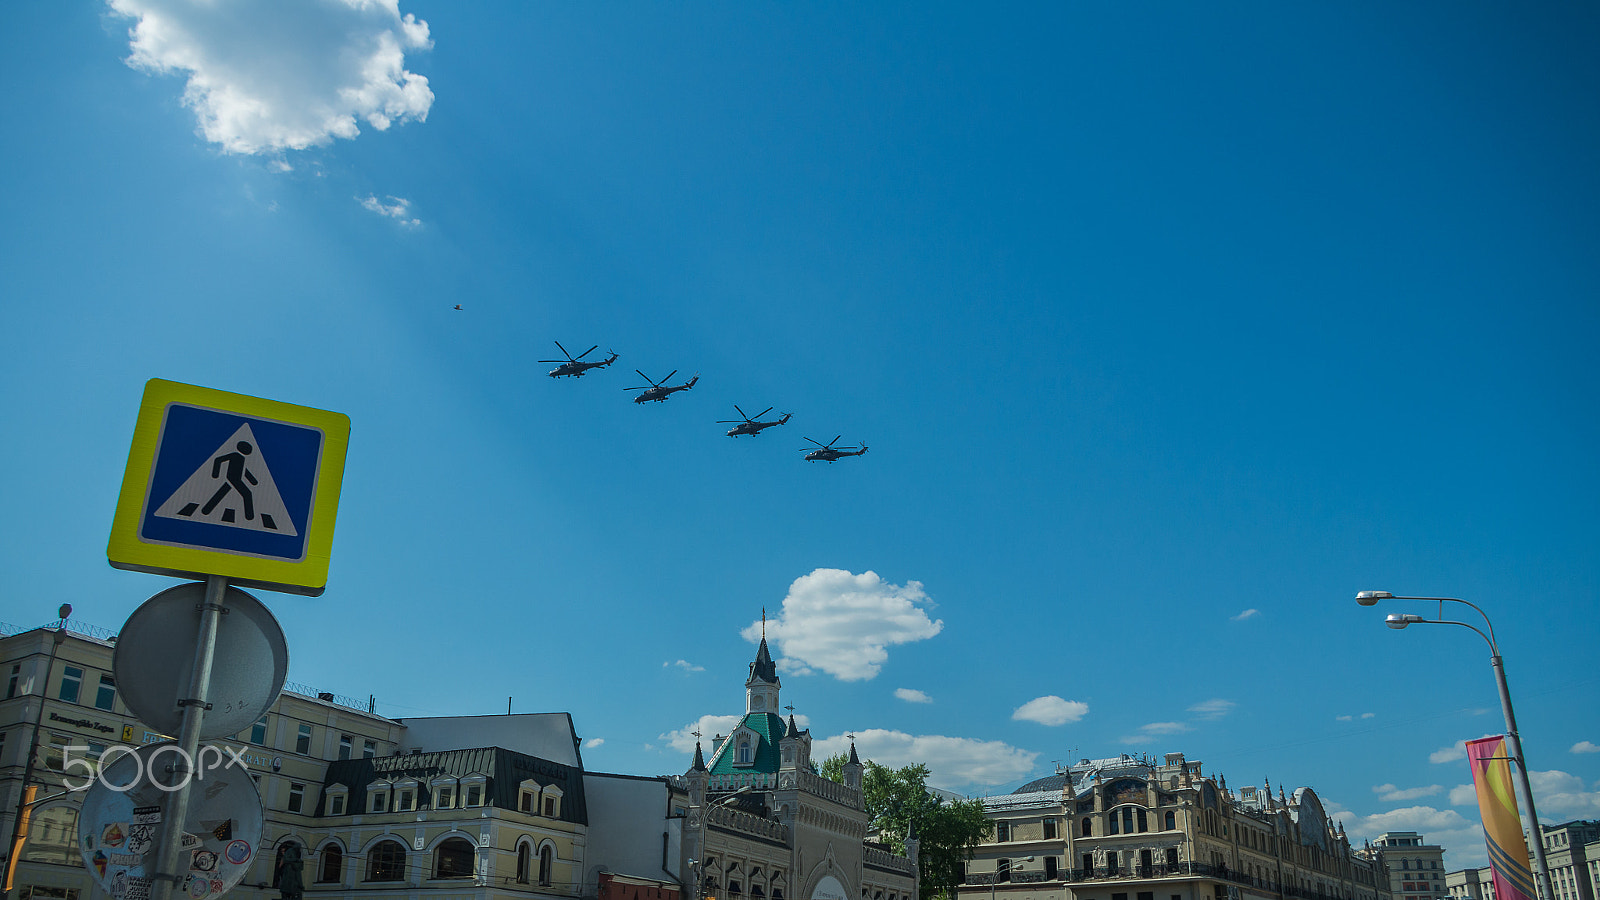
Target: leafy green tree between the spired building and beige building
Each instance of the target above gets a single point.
(898, 800)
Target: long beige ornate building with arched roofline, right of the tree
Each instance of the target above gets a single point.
(1129, 829)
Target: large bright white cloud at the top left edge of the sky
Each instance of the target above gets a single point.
(271, 76)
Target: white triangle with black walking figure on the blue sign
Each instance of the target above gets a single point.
(234, 488)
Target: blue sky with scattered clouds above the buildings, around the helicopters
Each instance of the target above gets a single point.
(1169, 327)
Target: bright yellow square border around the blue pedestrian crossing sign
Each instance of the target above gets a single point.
(308, 576)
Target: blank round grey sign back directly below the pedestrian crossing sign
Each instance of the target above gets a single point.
(156, 657)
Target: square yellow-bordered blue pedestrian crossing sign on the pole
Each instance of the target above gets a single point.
(234, 486)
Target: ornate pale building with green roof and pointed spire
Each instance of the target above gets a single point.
(764, 826)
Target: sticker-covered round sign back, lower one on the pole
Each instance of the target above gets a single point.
(121, 822)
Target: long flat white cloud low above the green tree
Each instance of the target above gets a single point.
(953, 763)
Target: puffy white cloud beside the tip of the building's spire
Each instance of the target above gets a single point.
(844, 624)
